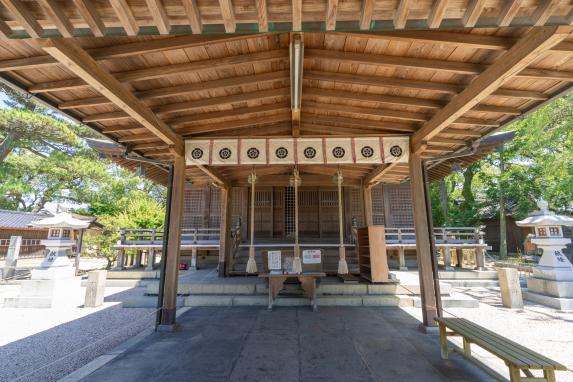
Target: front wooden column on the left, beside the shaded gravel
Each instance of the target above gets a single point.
(174, 239)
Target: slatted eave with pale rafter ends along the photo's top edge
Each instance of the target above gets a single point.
(48, 18)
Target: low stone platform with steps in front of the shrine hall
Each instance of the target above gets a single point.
(204, 288)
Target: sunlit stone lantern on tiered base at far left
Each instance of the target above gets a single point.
(54, 283)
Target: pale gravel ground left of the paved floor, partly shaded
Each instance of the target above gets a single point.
(47, 344)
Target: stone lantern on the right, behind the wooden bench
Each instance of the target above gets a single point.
(552, 280)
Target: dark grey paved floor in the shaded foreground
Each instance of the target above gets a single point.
(289, 344)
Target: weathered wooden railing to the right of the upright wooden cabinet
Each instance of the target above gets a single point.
(442, 235)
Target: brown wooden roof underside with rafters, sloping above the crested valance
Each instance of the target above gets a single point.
(444, 88)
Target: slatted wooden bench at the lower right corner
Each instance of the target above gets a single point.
(517, 357)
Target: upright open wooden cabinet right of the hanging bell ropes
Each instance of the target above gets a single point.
(372, 258)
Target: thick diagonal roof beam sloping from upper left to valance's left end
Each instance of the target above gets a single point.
(75, 59)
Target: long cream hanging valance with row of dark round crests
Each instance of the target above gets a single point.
(263, 151)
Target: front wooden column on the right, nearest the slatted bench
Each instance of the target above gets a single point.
(423, 241)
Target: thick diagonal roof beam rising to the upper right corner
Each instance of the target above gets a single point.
(529, 47)
